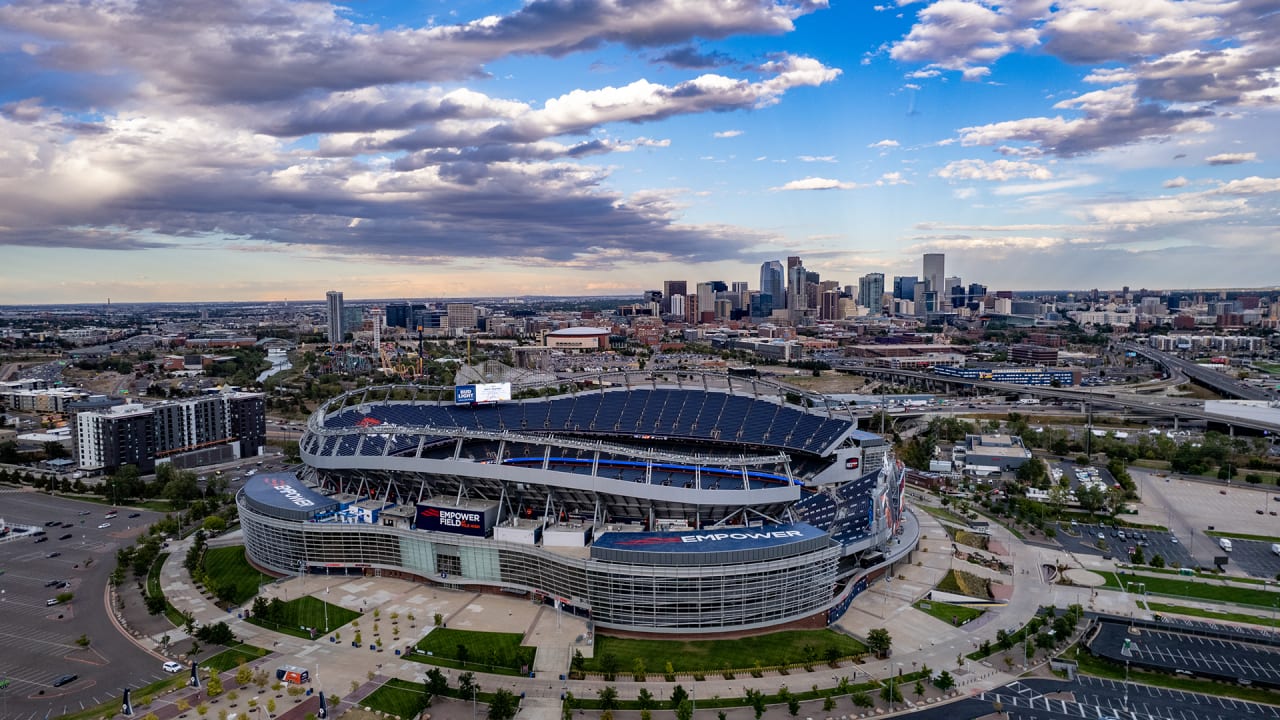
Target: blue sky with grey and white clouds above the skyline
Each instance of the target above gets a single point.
(276, 149)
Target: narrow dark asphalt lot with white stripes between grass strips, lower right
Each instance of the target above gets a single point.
(1190, 654)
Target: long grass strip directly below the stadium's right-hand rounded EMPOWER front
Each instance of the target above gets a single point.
(743, 654)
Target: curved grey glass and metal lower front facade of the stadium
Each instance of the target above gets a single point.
(714, 598)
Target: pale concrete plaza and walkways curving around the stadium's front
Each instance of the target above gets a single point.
(918, 639)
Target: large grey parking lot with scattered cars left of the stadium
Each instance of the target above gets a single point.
(40, 637)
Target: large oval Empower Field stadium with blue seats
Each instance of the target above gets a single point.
(652, 504)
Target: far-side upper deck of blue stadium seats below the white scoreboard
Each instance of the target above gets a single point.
(666, 413)
